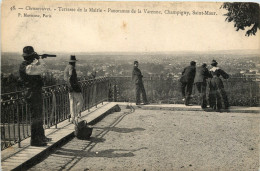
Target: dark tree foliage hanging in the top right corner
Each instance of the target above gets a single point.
(244, 14)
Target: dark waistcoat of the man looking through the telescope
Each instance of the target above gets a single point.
(31, 82)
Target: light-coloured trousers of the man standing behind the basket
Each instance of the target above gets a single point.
(76, 104)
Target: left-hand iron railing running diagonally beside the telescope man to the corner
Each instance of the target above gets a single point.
(15, 115)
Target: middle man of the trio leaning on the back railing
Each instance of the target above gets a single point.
(202, 73)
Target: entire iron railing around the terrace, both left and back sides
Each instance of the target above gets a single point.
(15, 115)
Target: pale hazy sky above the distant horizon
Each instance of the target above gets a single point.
(103, 32)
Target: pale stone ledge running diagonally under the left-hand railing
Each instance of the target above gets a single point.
(14, 158)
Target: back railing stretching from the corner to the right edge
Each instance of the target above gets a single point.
(241, 91)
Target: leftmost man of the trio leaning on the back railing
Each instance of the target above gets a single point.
(187, 80)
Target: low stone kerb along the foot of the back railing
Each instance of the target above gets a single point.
(182, 107)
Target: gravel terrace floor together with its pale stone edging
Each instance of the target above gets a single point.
(151, 137)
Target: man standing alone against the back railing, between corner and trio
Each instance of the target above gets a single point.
(139, 86)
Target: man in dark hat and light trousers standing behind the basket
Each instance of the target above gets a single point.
(75, 96)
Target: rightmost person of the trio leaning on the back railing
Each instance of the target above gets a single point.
(216, 86)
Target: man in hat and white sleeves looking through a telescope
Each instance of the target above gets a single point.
(30, 75)
